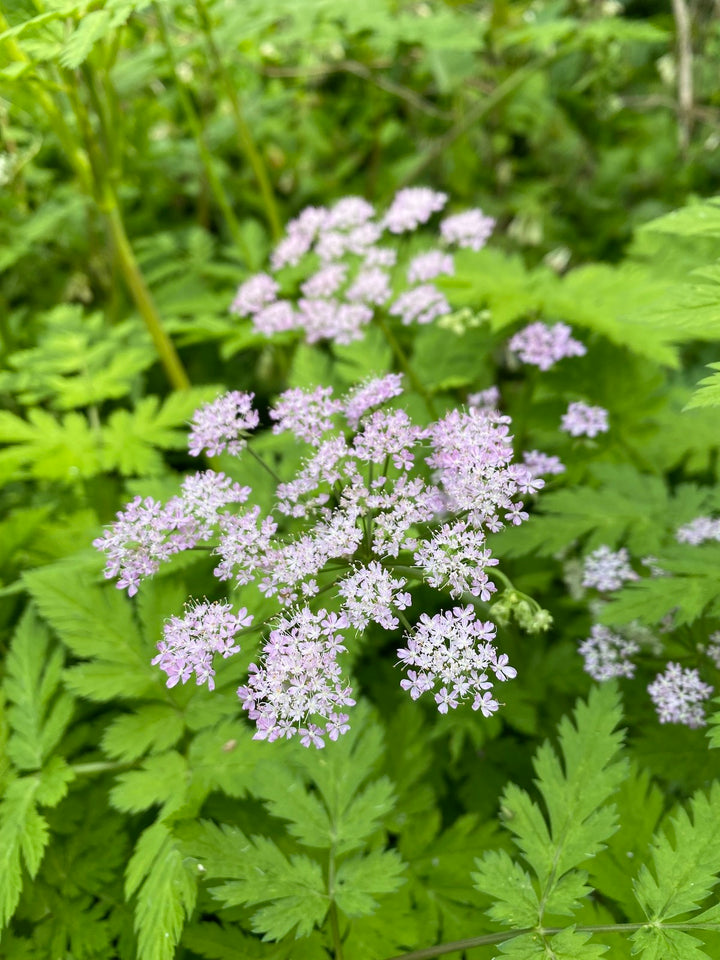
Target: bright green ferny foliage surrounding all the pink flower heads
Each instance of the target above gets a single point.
(150, 153)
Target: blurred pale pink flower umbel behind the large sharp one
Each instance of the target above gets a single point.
(349, 272)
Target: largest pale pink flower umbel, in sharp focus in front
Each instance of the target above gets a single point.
(379, 504)
